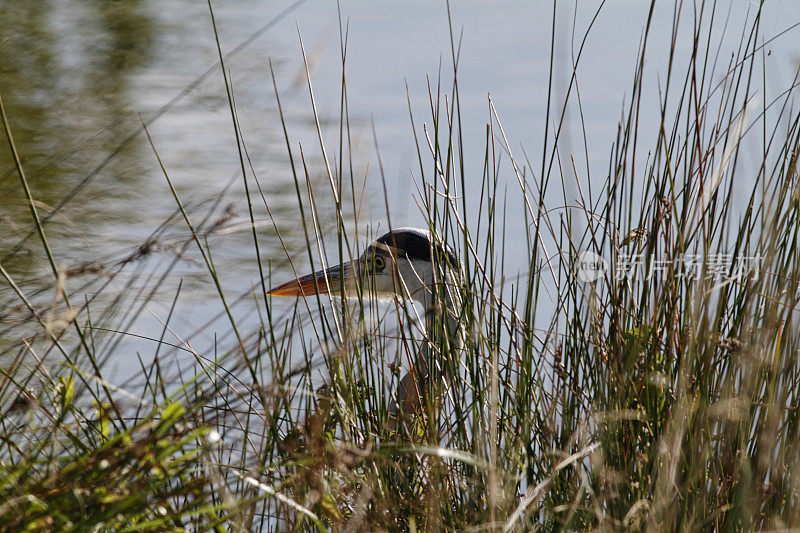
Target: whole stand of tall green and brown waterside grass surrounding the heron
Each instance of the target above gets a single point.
(660, 398)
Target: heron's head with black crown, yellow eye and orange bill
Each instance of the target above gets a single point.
(400, 263)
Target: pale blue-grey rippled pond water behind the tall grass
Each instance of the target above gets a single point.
(78, 78)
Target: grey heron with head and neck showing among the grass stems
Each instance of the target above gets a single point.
(408, 263)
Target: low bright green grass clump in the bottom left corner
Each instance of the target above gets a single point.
(72, 472)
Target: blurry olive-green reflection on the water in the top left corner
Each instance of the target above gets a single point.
(65, 83)
